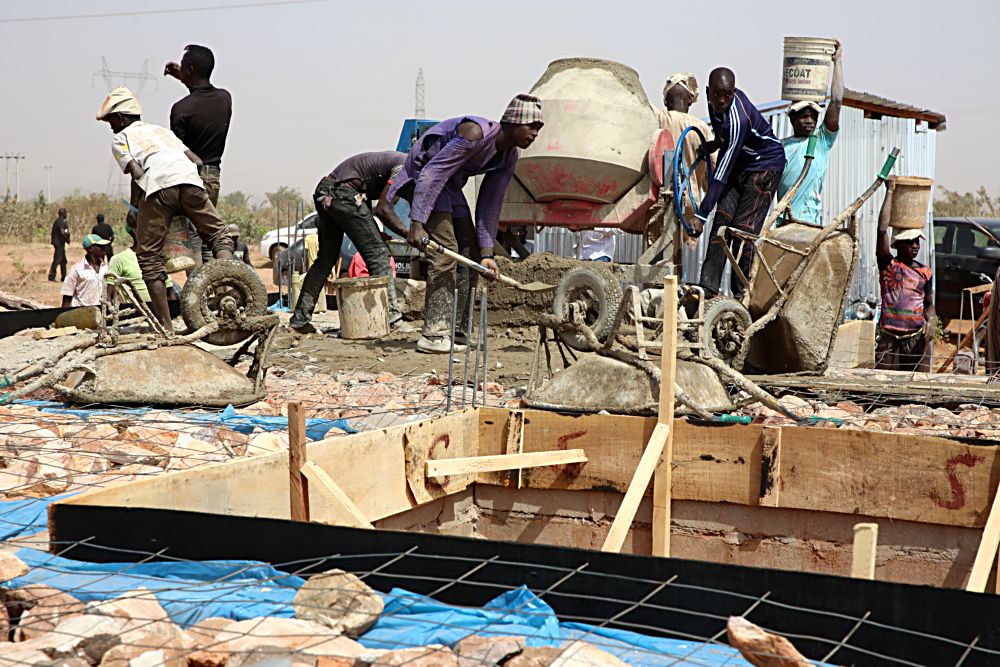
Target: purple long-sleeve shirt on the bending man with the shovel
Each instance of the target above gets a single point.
(440, 164)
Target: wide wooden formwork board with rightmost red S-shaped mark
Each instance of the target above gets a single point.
(890, 475)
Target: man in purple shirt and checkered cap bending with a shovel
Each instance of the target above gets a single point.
(435, 171)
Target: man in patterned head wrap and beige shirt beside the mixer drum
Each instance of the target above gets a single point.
(679, 93)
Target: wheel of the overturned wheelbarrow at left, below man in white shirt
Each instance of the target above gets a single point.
(212, 283)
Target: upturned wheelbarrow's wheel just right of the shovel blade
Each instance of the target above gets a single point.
(597, 292)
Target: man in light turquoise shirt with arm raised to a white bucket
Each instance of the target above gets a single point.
(807, 205)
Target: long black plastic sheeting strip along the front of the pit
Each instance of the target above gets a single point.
(918, 624)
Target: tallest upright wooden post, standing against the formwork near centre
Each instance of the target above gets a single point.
(662, 476)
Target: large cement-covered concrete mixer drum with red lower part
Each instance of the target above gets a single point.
(594, 145)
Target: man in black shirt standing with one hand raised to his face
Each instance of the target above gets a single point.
(201, 120)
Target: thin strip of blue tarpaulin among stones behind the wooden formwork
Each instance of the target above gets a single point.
(316, 429)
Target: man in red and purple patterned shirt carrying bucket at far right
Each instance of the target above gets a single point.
(907, 323)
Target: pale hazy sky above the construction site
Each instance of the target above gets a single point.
(316, 82)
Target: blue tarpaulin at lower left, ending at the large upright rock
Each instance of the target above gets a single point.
(189, 591)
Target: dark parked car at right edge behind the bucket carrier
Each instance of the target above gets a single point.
(966, 254)
